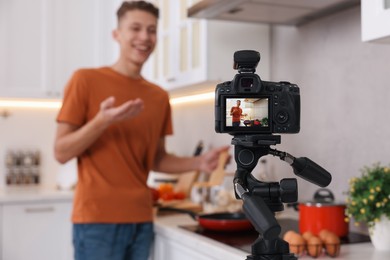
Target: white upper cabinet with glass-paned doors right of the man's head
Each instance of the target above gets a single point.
(194, 54)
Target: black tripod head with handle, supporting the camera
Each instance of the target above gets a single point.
(261, 199)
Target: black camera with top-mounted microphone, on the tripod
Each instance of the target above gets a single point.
(248, 105)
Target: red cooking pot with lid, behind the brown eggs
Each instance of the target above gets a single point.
(323, 213)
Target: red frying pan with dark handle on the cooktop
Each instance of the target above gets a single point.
(224, 221)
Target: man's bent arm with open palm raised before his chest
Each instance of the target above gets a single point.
(71, 140)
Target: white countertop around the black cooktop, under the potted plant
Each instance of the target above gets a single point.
(169, 226)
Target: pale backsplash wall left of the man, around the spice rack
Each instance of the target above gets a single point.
(29, 131)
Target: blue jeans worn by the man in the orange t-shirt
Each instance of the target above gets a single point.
(112, 241)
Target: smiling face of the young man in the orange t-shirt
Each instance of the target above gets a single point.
(136, 35)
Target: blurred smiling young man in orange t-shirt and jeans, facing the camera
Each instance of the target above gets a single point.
(115, 122)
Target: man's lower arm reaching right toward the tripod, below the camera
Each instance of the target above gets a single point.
(169, 163)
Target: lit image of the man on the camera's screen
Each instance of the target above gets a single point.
(247, 112)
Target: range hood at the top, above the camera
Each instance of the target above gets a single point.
(287, 12)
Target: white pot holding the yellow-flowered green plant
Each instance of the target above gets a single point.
(380, 234)
